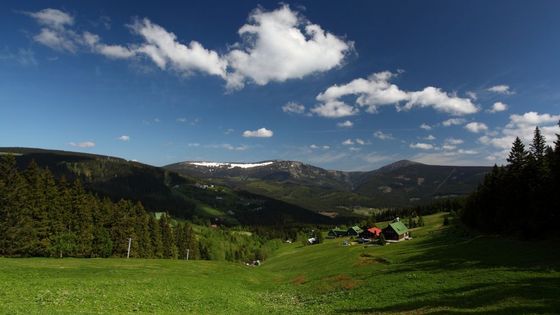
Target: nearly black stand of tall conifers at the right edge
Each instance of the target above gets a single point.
(521, 198)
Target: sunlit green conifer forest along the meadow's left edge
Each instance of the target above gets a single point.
(42, 216)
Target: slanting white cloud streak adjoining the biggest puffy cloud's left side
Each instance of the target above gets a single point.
(163, 48)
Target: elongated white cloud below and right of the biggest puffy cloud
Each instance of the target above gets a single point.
(377, 90)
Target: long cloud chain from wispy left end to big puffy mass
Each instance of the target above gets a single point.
(275, 46)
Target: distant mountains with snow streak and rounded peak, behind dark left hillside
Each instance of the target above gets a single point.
(402, 183)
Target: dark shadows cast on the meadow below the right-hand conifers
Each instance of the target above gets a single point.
(446, 251)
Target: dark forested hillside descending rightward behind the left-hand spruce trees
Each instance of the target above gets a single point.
(163, 190)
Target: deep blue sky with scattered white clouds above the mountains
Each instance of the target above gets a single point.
(342, 86)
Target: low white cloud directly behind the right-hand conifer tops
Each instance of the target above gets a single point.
(523, 126)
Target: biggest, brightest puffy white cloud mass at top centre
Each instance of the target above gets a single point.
(280, 45)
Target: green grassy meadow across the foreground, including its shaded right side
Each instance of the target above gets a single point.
(438, 272)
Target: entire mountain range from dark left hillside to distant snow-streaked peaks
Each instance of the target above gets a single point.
(267, 192)
